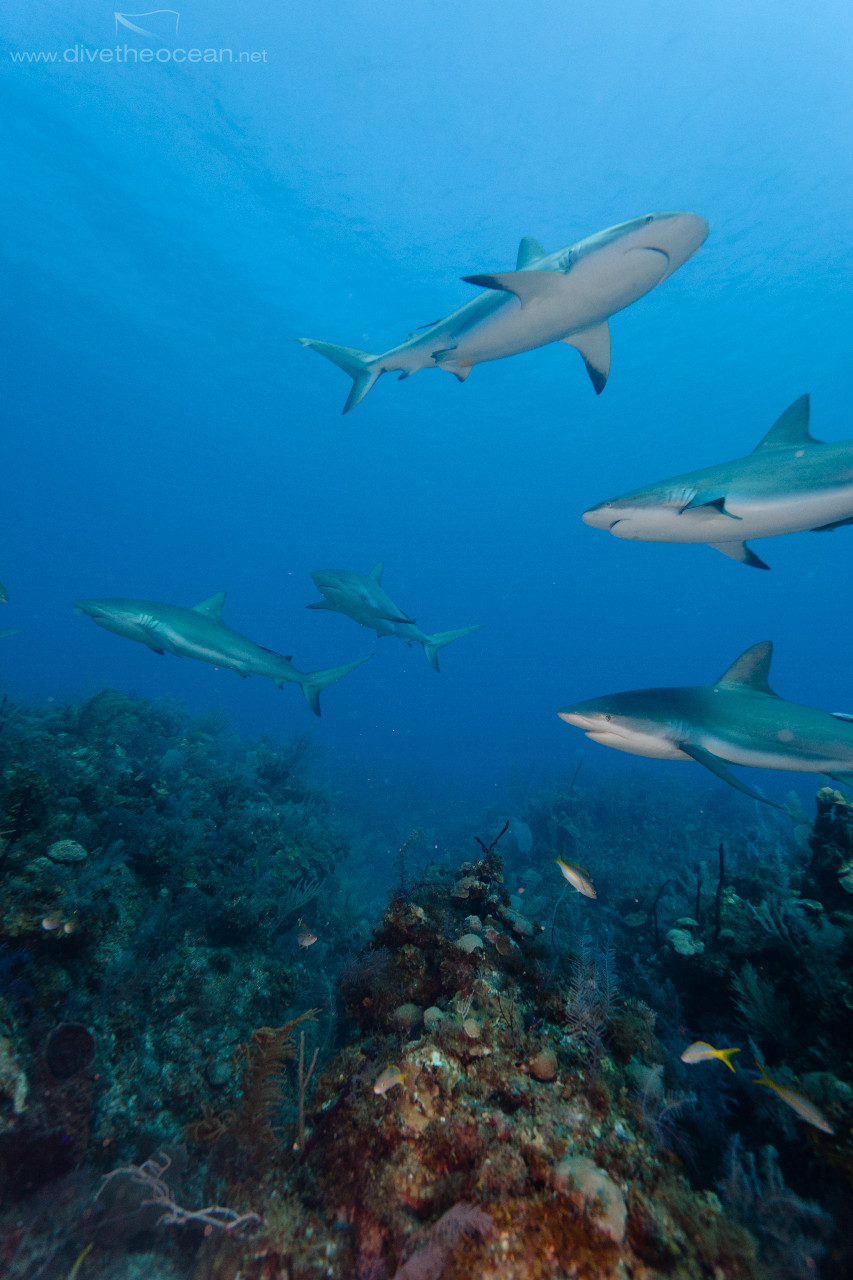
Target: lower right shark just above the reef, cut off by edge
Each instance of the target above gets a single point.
(738, 720)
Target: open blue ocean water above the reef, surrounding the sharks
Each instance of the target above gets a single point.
(171, 228)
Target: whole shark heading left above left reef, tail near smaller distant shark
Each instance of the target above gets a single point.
(200, 633)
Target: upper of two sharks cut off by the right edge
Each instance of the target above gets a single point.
(788, 484)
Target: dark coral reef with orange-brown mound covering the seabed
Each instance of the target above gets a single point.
(486, 1081)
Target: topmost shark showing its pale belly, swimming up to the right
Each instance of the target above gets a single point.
(567, 296)
